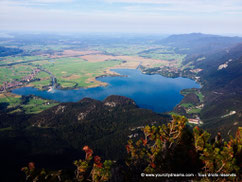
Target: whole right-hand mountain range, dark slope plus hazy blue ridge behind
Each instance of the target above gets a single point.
(219, 61)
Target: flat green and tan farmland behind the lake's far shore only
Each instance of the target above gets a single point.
(74, 68)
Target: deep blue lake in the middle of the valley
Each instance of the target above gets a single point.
(154, 92)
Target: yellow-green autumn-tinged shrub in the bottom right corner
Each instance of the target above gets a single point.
(219, 157)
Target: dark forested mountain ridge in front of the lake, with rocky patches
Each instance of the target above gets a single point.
(67, 127)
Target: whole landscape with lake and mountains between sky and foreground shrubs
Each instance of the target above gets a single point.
(44, 85)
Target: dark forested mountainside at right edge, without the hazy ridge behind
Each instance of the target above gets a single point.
(221, 76)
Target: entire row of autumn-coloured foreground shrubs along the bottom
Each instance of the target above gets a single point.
(171, 148)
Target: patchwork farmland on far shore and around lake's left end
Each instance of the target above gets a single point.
(73, 67)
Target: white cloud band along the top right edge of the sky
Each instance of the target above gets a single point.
(182, 5)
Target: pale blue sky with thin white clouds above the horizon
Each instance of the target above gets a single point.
(222, 17)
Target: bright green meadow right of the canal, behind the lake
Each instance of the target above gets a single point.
(76, 71)
